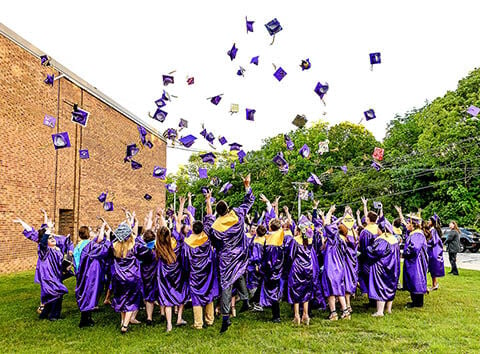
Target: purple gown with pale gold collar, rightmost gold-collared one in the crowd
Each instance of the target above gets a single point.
(384, 257)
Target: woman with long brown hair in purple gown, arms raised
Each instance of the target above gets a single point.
(172, 279)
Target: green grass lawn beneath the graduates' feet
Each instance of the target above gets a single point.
(449, 322)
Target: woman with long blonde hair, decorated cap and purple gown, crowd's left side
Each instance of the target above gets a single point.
(128, 250)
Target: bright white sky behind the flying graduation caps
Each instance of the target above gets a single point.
(124, 47)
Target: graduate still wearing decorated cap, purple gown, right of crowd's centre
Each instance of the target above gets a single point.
(304, 271)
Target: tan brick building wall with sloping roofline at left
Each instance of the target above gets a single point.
(33, 175)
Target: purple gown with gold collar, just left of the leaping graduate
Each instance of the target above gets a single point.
(202, 271)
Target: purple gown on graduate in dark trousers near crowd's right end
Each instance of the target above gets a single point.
(415, 263)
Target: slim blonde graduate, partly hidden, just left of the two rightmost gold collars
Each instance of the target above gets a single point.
(350, 255)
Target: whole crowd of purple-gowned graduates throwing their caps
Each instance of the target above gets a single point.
(321, 260)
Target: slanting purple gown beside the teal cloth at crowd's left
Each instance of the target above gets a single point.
(89, 274)
